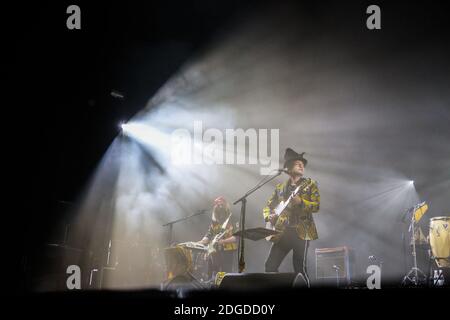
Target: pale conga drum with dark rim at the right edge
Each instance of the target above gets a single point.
(440, 240)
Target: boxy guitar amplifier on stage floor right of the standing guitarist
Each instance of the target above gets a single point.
(334, 266)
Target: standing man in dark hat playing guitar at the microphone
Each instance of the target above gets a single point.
(289, 210)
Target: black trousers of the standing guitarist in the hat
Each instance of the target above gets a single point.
(279, 250)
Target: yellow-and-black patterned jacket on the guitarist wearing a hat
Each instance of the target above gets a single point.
(302, 213)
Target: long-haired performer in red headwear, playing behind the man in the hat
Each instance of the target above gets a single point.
(220, 240)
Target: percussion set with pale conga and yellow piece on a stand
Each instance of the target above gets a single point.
(438, 241)
